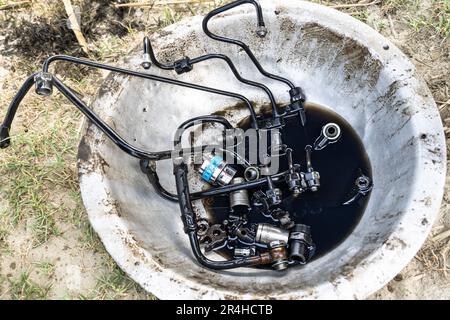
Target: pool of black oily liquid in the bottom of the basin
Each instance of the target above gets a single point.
(339, 165)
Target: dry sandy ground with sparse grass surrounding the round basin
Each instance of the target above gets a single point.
(47, 247)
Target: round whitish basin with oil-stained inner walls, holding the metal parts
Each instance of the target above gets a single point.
(343, 65)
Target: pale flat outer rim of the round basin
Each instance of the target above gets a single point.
(168, 285)
